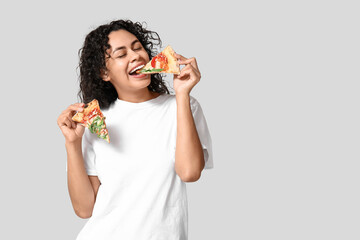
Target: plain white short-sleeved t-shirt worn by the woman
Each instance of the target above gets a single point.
(140, 197)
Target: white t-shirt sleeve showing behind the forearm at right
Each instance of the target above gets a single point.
(203, 132)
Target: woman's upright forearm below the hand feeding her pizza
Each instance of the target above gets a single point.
(189, 156)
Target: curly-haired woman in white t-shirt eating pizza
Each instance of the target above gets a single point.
(134, 187)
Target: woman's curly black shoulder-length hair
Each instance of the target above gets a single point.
(92, 61)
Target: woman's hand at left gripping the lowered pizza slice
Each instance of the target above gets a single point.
(71, 130)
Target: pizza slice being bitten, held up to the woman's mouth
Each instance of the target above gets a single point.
(164, 62)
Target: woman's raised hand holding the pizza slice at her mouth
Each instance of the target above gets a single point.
(189, 76)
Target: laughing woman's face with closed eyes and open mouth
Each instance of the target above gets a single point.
(127, 53)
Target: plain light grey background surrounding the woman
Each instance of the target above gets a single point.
(279, 89)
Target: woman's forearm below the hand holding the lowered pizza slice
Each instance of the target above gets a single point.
(79, 186)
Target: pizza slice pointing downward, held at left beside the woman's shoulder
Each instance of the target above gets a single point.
(93, 119)
